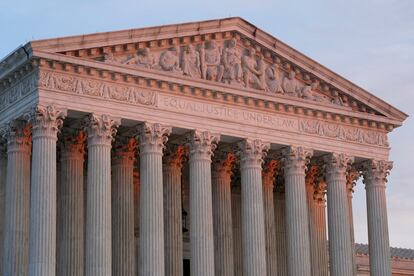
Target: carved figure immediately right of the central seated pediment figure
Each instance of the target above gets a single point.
(253, 70)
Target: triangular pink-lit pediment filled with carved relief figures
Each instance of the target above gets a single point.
(229, 52)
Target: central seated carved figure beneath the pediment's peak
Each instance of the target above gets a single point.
(231, 59)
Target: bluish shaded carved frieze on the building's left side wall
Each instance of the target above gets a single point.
(18, 91)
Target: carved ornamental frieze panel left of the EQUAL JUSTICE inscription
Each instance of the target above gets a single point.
(95, 88)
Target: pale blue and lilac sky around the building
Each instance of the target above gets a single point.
(368, 42)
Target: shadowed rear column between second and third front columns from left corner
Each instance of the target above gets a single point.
(123, 239)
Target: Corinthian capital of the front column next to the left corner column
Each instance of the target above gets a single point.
(101, 129)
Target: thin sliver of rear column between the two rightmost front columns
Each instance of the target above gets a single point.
(351, 178)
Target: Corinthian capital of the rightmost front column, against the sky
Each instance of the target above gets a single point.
(375, 172)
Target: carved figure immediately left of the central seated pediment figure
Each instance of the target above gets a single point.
(210, 57)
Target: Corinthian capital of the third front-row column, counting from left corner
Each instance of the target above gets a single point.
(153, 137)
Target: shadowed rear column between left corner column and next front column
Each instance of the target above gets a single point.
(70, 256)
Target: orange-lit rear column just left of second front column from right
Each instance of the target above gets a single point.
(320, 223)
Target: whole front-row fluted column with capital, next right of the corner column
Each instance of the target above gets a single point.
(98, 244)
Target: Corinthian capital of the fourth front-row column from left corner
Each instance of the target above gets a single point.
(202, 144)
